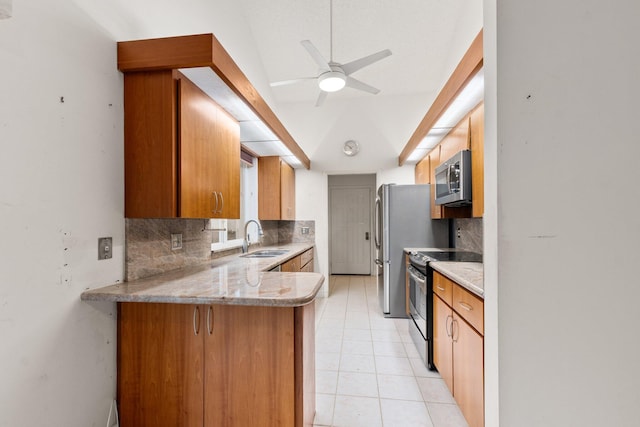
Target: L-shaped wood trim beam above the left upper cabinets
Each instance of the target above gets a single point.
(204, 50)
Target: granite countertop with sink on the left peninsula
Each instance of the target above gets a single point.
(229, 280)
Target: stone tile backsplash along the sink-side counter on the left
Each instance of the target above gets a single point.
(148, 243)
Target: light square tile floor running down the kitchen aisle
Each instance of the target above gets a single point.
(368, 371)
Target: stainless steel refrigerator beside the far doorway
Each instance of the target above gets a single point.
(402, 220)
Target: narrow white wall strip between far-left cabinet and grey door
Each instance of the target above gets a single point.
(312, 201)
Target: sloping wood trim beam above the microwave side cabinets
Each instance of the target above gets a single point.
(468, 66)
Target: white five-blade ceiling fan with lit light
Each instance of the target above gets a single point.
(333, 76)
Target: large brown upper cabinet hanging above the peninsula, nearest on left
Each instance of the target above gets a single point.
(182, 150)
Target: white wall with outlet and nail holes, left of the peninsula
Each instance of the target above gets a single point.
(61, 189)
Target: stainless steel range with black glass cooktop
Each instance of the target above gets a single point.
(421, 295)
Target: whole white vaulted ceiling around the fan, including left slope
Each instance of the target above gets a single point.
(427, 39)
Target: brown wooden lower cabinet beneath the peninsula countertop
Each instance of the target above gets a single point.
(215, 365)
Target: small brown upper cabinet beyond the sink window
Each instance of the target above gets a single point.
(276, 189)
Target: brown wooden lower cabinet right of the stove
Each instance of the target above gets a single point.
(458, 346)
